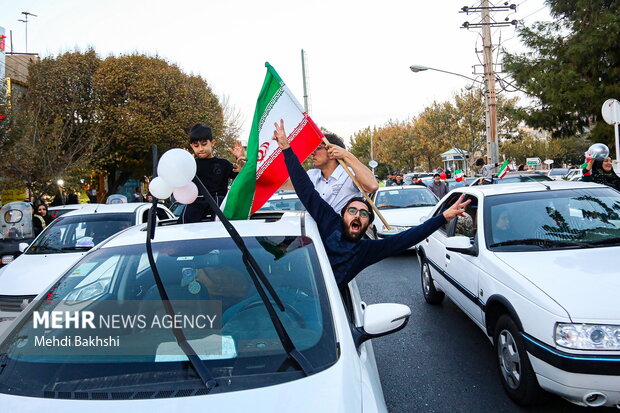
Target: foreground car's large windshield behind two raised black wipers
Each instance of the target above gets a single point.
(217, 306)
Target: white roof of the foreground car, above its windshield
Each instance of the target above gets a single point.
(290, 224)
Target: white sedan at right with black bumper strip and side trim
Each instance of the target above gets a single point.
(536, 267)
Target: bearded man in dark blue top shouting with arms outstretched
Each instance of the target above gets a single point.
(342, 234)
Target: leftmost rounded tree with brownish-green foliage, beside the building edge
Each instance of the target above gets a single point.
(53, 134)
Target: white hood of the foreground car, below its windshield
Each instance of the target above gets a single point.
(336, 389)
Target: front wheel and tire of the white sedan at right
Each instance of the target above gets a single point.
(515, 370)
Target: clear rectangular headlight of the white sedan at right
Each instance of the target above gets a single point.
(588, 336)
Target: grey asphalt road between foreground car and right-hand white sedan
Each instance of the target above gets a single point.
(441, 362)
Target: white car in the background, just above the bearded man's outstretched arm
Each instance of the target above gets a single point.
(402, 207)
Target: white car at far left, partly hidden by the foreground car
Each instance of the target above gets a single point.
(59, 246)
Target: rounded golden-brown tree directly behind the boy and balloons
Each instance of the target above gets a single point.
(143, 101)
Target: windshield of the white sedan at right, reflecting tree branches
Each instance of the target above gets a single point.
(576, 218)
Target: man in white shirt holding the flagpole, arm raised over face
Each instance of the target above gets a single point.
(331, 180)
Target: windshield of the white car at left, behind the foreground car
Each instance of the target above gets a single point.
(79, 232)
